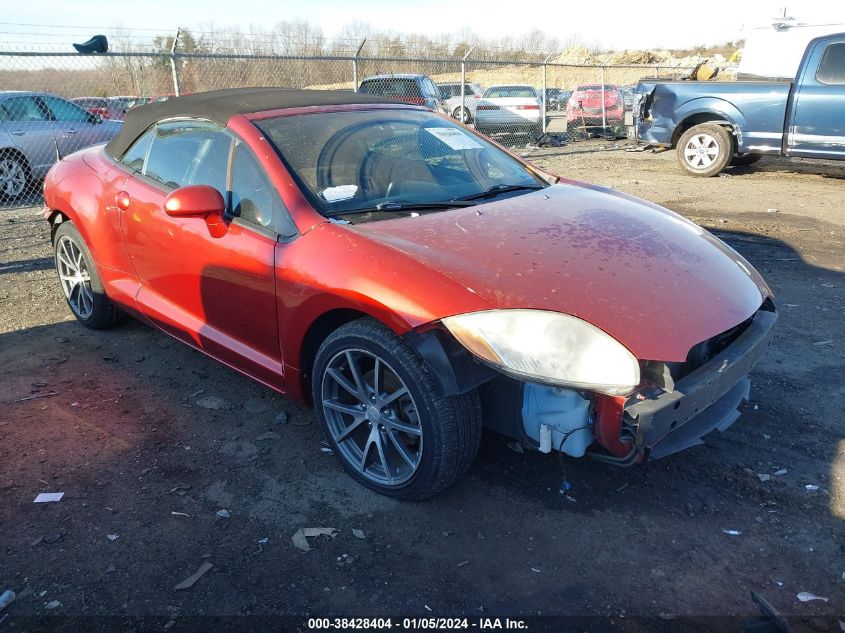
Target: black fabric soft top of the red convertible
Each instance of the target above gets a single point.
(221, 105)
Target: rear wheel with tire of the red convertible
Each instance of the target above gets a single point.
(80, 282)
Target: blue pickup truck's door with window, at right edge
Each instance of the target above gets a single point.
(817, 128)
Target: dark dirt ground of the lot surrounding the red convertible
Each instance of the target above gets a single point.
(112, 419)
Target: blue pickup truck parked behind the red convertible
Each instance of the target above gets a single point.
(716, 124)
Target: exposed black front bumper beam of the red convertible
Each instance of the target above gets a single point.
(665, 422)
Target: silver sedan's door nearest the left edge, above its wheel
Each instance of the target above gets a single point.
(31, 132)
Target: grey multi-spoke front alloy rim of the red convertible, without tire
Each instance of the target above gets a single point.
(372, 417)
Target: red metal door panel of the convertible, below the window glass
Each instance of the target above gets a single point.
(202, 285)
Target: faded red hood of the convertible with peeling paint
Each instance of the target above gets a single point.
(656, 282)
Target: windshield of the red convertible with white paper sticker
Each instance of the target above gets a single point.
(347, 162)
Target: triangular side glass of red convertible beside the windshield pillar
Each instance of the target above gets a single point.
(254, 199)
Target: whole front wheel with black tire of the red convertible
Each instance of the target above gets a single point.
(384, 417)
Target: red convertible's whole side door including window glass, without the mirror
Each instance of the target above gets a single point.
(212, 288)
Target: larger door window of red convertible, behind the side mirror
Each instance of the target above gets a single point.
(189, 153)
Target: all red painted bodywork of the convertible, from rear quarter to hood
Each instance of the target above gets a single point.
(652, 280)
